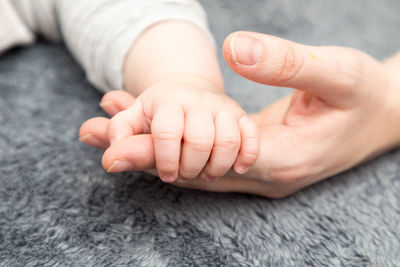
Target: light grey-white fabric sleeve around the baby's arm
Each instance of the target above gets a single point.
(99, 33)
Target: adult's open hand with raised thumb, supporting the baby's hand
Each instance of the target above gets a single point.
(343, 111)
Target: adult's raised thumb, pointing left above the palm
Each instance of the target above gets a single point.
(332, 73)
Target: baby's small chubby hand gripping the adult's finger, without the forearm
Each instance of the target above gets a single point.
(195, 130)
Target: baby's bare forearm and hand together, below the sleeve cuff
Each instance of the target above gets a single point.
(196, 128)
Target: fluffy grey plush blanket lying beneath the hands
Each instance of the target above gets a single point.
(58, 207)
